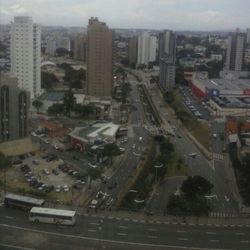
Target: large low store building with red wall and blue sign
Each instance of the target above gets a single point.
(228, 95)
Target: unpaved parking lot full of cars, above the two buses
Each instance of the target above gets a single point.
(46, 173)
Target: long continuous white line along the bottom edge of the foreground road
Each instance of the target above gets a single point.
(106, 240)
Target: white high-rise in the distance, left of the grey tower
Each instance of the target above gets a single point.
(147, 46)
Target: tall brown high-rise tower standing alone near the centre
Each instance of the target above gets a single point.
(99, 59)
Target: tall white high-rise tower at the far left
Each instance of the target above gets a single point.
(25, 50)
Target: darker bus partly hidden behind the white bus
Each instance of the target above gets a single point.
(23, 202)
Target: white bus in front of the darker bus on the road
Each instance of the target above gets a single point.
(51, 215)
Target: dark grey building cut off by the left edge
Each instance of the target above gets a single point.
(14, 107)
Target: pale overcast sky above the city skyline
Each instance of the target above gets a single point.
(151, 14)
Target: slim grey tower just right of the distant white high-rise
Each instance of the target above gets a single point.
(167, 55)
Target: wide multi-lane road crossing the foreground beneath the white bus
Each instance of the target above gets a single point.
(107, 232)
